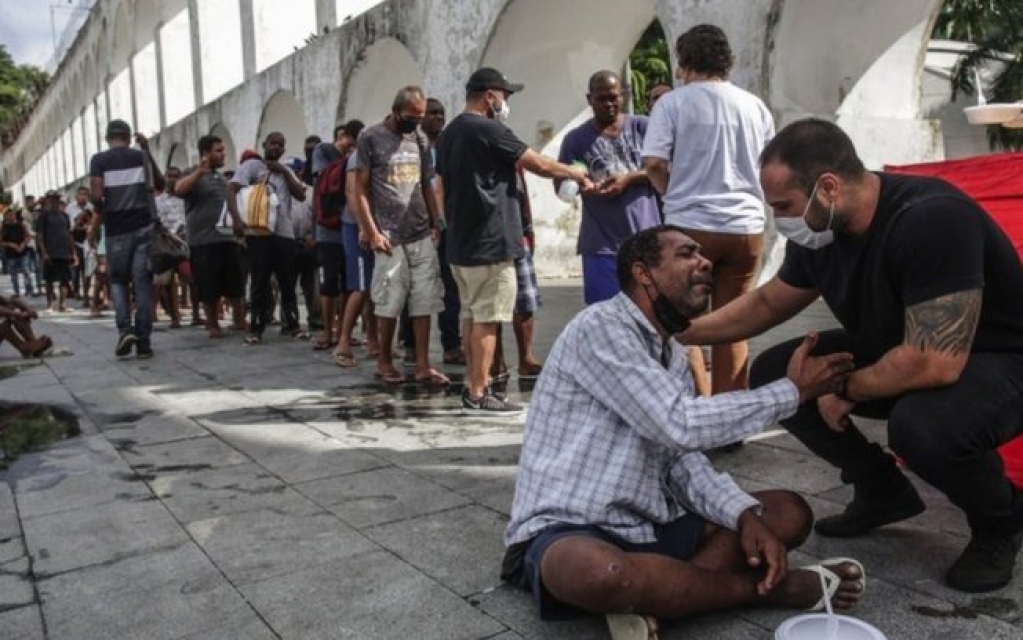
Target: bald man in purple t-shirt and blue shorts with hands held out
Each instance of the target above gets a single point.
(622, 202)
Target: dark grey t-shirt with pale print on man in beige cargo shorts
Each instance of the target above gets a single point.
(397, 165)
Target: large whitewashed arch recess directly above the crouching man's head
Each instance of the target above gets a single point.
(870, 85)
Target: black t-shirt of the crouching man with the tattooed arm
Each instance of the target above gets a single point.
(927, 240)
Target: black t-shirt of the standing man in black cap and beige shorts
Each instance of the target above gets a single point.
(476, 159)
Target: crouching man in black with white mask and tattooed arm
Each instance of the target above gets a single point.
(929, 293)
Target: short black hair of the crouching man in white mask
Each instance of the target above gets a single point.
(814, 147)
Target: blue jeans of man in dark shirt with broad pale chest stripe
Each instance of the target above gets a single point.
(128, 261)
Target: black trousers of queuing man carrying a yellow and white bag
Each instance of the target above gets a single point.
(273, 256)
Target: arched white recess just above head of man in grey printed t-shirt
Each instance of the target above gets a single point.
(384, 68)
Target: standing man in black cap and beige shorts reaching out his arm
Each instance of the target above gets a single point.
(477, 157)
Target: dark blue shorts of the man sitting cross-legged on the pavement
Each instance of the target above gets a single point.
(680, 539)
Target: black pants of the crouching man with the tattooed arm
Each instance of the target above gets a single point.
(947, 436)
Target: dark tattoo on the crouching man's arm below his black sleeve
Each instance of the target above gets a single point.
(945, 325)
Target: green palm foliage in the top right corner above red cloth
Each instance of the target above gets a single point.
(996, 27)
